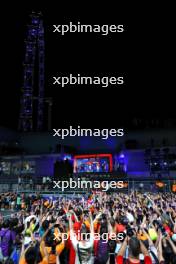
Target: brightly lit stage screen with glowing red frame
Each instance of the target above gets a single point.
(93, 163)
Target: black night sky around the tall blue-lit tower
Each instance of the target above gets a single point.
(142, 54)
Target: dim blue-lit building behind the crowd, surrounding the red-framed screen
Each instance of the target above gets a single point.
(139, 158)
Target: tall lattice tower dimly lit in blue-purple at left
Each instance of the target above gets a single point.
(33, 65)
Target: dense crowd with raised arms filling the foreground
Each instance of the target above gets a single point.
(98, 228)
